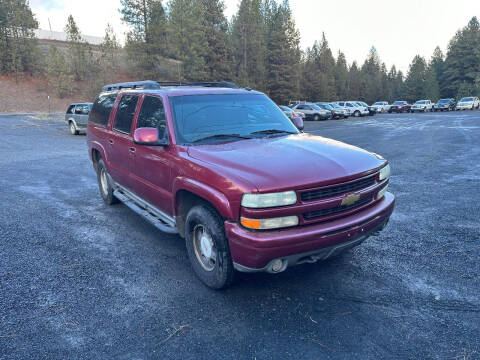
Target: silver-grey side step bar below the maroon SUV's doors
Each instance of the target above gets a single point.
(158, 218)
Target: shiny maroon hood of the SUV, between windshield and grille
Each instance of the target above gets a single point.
(289, 162)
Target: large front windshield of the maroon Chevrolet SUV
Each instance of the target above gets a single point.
(216, 117)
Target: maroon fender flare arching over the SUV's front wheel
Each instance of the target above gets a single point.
(213, 196)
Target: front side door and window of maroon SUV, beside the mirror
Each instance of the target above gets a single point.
(151, 165)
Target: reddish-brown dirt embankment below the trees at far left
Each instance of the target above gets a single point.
(31, 95)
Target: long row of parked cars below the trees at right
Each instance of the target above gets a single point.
(344, 109)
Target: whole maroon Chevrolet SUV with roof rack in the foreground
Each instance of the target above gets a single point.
(228, 171)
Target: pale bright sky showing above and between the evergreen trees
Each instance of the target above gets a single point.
(399, 29)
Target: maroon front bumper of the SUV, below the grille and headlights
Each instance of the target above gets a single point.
(256, 251)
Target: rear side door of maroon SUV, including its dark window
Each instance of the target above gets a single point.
(120, 140)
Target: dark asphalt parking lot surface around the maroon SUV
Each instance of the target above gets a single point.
(81, 280)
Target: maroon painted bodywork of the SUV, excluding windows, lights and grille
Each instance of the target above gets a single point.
(222, 173)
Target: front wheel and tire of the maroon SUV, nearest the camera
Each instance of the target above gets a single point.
(204, 226)
